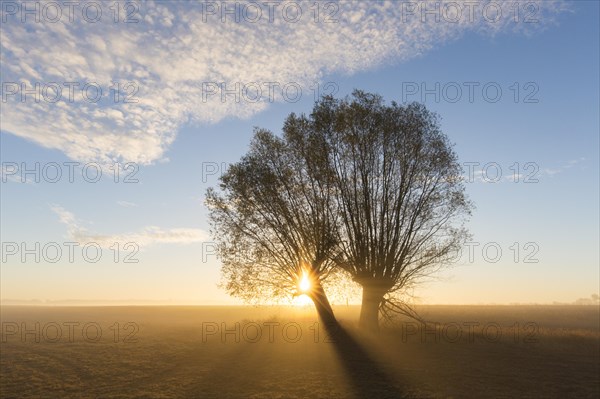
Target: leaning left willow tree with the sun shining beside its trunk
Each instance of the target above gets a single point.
(273, 223)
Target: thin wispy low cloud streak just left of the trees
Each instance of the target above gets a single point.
(146, 236)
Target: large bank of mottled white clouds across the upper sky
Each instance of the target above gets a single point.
(176, 46)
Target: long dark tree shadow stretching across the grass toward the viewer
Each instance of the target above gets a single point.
(365, 374)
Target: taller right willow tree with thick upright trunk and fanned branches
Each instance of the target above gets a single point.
(399, 195)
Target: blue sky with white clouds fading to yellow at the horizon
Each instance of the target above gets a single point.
(116, 120)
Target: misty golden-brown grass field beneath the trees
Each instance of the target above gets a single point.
(281, 352)
